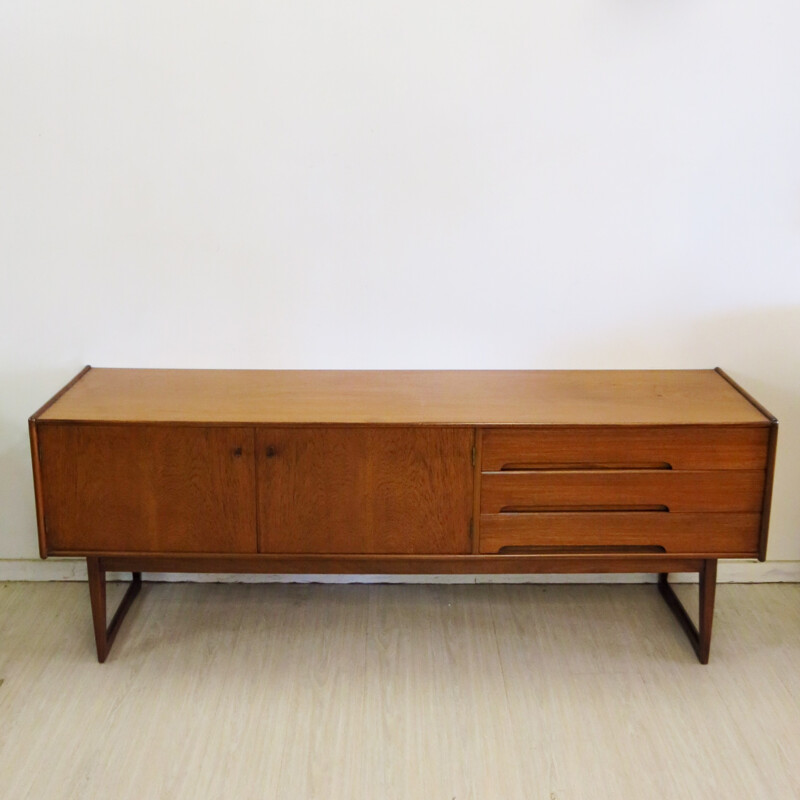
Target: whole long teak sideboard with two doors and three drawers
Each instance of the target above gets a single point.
(403, 472)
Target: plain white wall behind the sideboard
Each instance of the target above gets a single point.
(404, 184)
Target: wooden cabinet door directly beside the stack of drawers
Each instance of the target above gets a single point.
(364, 490)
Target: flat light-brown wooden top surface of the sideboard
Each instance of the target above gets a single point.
(398, 397)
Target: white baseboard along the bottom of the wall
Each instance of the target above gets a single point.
(70, 569)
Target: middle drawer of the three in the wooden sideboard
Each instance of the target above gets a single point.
(633, 490)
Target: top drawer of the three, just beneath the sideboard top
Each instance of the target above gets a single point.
(625, 447)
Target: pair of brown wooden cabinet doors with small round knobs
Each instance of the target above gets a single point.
(196, 489)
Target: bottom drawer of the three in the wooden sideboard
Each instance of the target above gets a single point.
(712, 534)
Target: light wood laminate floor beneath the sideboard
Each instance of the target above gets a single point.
(419, 692)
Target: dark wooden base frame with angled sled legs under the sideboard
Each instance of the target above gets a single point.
(699, 638)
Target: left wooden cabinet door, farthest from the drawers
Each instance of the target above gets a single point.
(148, 488)
